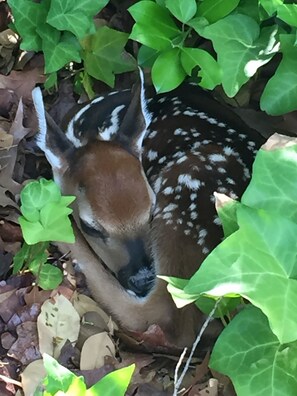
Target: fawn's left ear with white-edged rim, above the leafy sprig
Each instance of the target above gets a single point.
(50, 138)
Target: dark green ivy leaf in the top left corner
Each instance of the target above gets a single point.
(28, 15)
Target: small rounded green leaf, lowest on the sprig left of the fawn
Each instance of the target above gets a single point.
(48, 276)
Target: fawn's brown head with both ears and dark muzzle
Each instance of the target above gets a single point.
(114, 201)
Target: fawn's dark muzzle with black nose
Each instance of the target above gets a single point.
(139, 274)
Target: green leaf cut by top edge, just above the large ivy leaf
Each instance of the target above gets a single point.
(213, 10)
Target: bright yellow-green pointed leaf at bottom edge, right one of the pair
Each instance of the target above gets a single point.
(115, 383)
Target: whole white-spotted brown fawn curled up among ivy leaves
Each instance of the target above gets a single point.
(144, 172)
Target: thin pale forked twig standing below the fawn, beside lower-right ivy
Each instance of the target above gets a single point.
(178, 381)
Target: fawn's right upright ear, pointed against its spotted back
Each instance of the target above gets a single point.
(136, 121)
